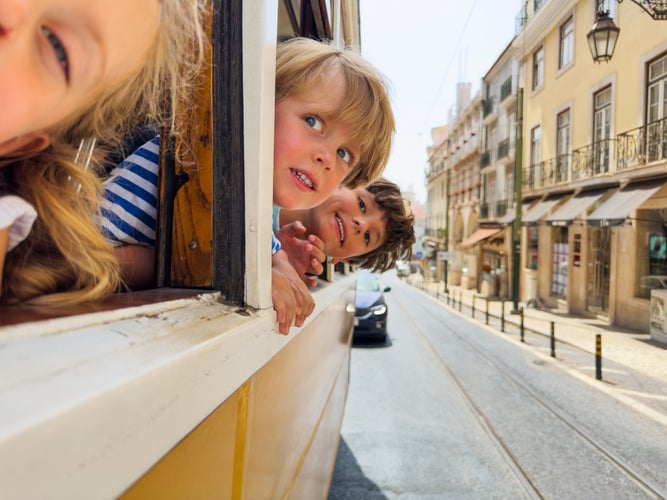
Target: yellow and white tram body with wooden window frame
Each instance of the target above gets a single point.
(187, 390)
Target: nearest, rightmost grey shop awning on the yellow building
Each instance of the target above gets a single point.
(616, 209)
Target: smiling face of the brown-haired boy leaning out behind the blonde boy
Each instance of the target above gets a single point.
(349, 223)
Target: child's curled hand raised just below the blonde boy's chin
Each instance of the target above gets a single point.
(306, 256)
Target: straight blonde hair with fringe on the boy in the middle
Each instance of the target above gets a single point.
(301, 65)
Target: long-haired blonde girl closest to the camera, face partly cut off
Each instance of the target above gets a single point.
(71, 70)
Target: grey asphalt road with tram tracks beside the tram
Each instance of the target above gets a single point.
(450, 409)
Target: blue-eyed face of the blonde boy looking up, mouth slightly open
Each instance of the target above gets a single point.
(312, 152)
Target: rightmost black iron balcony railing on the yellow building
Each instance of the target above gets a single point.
(642, 145)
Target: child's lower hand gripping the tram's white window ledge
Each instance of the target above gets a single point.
(291, 299)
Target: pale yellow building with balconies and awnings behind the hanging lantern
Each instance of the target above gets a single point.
(594, 160)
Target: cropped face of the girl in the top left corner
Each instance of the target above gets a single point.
(56, 56)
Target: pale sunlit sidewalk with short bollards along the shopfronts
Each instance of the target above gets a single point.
(633, 350)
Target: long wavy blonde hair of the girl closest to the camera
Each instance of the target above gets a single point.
(65, 260)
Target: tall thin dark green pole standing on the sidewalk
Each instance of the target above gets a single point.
(516, 228)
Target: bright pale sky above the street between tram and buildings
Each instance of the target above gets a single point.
(424, 47)
